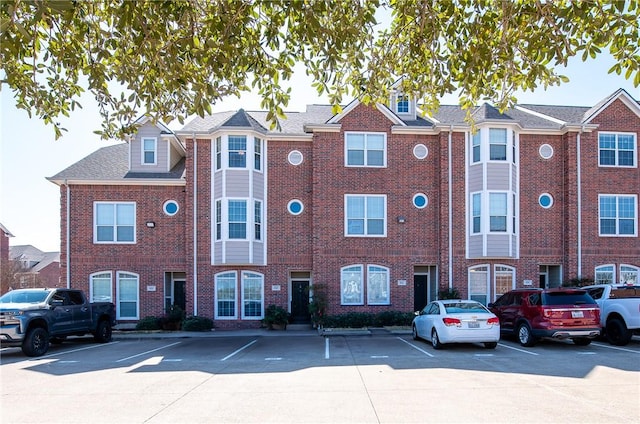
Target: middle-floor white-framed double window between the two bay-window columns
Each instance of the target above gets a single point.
(366, 215)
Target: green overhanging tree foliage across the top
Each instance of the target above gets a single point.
(172, 59)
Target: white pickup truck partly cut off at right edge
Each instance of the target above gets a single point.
(619, 310)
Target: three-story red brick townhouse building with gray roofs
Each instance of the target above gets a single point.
(380, 206)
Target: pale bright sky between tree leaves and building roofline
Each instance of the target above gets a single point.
(30, 205)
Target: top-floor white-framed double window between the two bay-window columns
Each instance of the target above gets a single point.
(365, 149)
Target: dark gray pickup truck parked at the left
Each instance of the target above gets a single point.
(32, 318)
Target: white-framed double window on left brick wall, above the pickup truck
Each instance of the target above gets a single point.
(114, 222)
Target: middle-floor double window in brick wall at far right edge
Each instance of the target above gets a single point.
(618, 215)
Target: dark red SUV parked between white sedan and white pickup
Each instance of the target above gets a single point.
(531, 314)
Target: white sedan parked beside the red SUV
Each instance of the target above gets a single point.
(456, 321)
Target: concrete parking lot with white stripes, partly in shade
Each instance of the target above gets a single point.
(301, 377)
